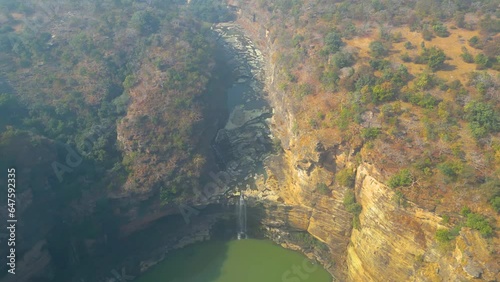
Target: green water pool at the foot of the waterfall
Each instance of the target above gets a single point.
(235, 261)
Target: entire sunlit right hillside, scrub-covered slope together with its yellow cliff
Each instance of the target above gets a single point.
(387, 118)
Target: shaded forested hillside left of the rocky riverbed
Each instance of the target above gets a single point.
(94, 95)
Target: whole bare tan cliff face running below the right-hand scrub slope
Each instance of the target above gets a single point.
(393, 242)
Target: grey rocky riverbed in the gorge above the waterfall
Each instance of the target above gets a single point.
(245, 141)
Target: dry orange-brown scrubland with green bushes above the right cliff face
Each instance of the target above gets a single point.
(431, 127)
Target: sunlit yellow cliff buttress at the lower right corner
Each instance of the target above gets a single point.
(398, 243)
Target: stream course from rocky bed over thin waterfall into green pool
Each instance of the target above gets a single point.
(240, 146)
